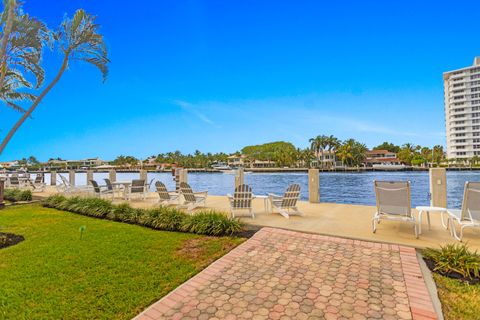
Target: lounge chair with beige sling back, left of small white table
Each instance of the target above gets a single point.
(393, 203)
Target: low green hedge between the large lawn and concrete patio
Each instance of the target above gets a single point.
(162, 218)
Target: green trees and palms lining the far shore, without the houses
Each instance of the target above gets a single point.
(349, 152)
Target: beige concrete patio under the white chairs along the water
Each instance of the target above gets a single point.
(343, 220)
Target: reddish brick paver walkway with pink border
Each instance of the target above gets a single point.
(279, 274)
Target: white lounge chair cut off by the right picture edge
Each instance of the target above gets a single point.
(469, 215)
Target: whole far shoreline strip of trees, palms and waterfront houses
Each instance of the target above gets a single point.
(326, 153)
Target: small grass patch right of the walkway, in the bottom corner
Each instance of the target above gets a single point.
(460, 301)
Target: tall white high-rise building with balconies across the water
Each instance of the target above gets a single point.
(462, 111)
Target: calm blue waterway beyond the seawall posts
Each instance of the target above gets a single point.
(351, 188)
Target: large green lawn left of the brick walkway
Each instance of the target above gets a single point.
(114, 272)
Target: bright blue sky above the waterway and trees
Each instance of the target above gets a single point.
(219, 75)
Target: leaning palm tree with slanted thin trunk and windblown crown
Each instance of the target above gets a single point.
(78, 40)
